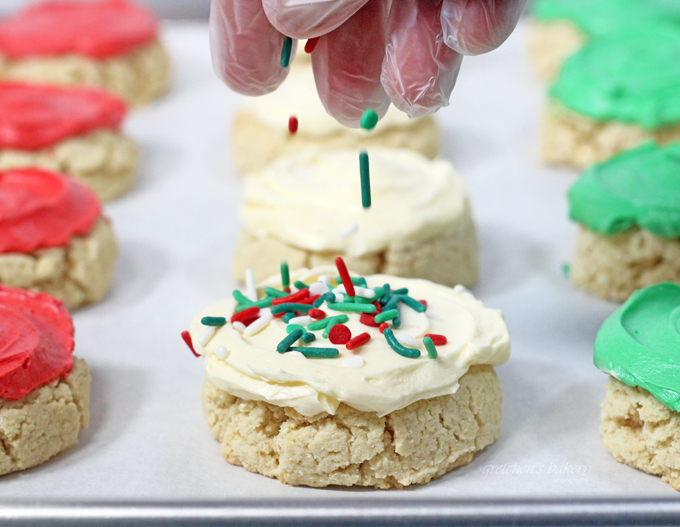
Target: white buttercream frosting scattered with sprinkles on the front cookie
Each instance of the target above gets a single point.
(381, 381)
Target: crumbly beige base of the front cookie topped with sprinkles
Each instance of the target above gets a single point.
(410, 446)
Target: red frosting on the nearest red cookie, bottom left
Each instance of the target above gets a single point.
(36, 341)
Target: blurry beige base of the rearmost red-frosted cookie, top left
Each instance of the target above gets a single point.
(138, 77)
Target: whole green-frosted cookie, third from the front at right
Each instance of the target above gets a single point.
(617, 92)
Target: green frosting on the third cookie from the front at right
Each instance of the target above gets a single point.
(630, 76)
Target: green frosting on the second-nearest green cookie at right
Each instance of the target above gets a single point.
(640, 187)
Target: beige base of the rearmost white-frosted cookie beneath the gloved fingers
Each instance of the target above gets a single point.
(256, 144)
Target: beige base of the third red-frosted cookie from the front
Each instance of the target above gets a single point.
(105, 160)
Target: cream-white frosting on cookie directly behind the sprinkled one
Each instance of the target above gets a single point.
(308, 200)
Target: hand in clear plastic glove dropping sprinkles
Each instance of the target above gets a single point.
(371, 52)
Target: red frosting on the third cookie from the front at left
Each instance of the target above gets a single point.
(34, 117)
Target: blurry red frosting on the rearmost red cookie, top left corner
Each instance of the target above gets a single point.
(99, 29)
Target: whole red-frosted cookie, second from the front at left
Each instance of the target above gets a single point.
(53, 237)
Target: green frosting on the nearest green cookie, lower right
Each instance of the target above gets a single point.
(640, 343)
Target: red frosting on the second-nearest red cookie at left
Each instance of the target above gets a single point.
(41, 209)
